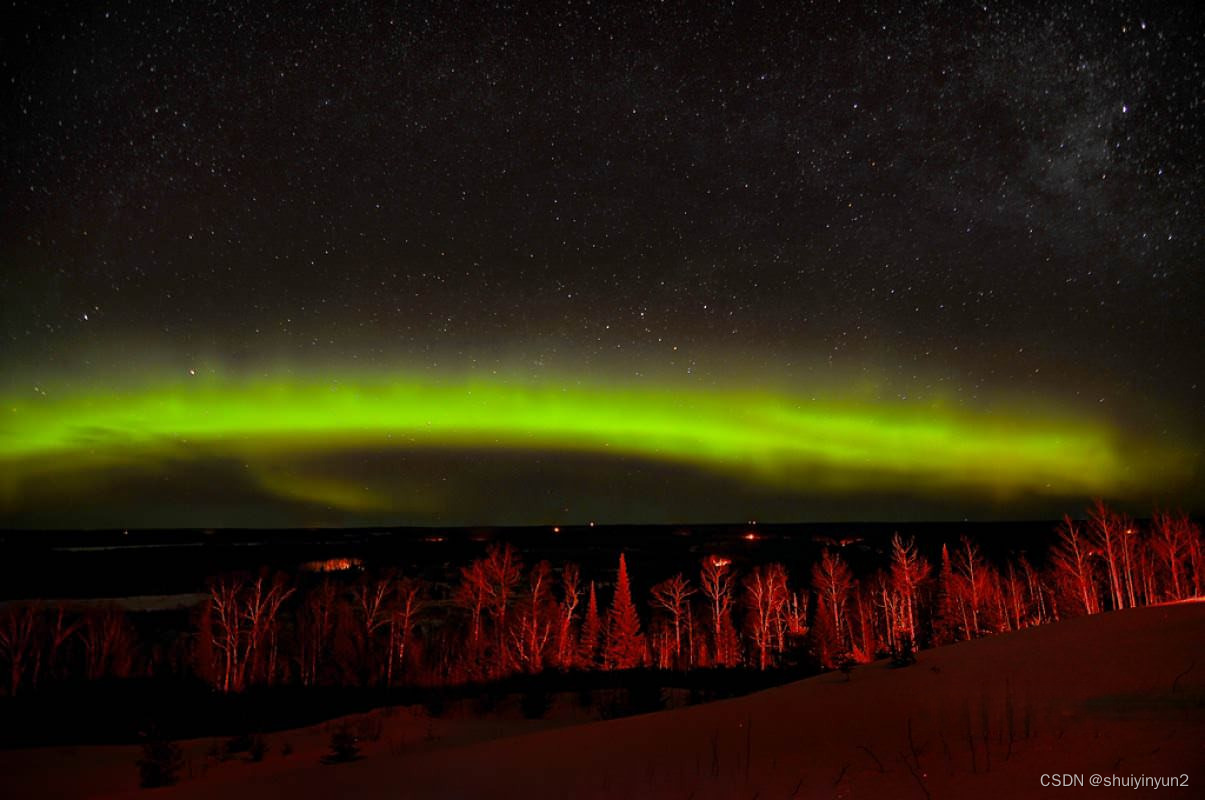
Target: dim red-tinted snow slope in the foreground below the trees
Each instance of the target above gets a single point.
(1114, 695)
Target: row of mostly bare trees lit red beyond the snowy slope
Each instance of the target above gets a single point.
(499, 619)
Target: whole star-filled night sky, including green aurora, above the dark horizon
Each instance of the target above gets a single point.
(336, 264)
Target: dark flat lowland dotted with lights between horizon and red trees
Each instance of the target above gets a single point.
(114, 564)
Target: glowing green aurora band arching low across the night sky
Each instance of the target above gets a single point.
(771, 439)
